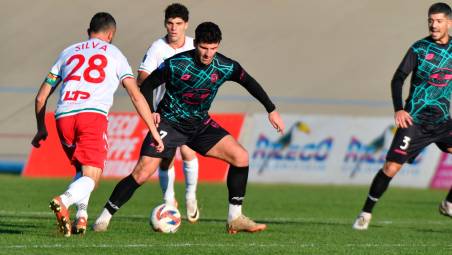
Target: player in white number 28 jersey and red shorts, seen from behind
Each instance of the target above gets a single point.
(89, 73)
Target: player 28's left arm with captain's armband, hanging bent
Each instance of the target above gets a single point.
(46, 89)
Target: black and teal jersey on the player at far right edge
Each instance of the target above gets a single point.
(429, 97)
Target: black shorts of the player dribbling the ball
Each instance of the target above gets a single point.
(201, 139)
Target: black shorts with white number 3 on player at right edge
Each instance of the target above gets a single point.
(409, 142)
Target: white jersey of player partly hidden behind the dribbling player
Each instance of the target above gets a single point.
(155, 55)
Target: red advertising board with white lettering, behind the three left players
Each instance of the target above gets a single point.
(125, 134)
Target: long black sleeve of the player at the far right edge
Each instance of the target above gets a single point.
(407, 65)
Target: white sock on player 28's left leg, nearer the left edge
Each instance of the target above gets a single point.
(78, 190)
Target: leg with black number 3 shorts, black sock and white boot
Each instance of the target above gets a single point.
(407, 143)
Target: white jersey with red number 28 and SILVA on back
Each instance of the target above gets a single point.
(90, 72)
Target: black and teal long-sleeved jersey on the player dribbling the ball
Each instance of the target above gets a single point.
(191, 86)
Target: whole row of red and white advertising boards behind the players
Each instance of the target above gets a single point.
(315, 149)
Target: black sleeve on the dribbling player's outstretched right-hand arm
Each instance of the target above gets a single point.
(240, 76)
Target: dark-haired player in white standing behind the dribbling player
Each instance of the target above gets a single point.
(175, 41)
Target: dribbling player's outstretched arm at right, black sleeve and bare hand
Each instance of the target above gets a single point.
(255, 89)
